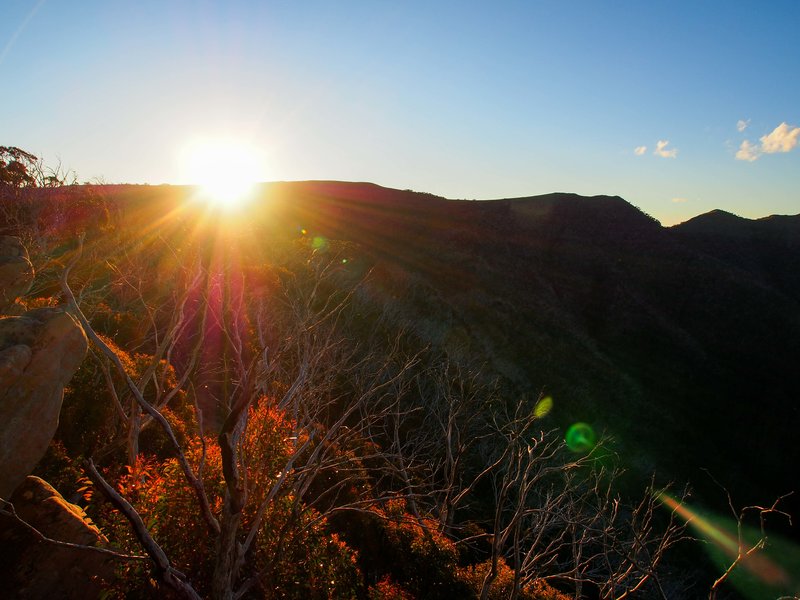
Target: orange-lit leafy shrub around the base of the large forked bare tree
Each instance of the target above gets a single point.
(299, 556)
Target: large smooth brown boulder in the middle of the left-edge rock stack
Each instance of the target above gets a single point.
(39, 353)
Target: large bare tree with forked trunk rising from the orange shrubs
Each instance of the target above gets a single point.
(334, 392)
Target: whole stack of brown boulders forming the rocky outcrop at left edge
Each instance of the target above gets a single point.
(39, 353)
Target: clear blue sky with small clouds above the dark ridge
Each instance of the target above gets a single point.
(678, 107)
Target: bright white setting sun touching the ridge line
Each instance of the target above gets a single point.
(224, 170)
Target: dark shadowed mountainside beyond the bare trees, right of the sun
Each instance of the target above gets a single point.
(680, 342)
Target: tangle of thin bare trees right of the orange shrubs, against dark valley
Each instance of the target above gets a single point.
(555, 514)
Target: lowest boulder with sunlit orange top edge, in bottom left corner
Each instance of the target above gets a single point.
(33, 568)
